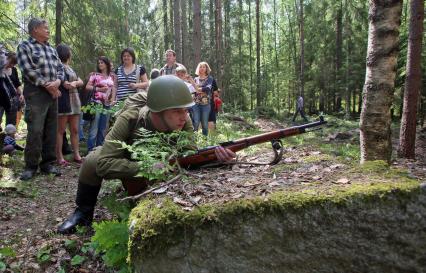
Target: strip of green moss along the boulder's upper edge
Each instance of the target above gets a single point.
(159, 223)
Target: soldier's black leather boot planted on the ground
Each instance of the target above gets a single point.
(87, 196)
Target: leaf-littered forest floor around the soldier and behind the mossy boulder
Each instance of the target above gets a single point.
(31, 211)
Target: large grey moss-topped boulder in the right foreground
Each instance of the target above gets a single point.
(369, 227)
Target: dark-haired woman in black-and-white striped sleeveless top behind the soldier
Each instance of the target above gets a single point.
(130, 77)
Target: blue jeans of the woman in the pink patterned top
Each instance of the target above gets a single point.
(97, 130)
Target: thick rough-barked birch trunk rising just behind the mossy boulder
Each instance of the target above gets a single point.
(383, 38)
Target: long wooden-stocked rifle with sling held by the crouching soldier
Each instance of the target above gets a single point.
(207, 155)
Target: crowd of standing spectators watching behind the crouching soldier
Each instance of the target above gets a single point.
(50, 96)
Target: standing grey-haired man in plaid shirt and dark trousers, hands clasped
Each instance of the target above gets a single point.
(42, 73)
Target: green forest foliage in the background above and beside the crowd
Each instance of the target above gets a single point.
(94, 28)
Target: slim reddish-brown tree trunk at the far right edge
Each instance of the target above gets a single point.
(413, 81)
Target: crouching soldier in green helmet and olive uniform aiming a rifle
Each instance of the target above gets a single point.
(165, 111)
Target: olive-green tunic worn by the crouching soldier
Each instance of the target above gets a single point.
(113, 161)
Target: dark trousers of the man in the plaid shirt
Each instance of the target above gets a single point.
(41, 116)
